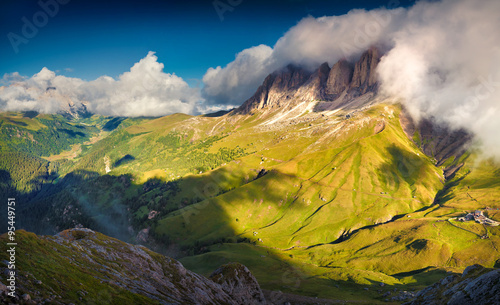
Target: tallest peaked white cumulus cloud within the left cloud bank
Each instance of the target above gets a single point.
(143, 91)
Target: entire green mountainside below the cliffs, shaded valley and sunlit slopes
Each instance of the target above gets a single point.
(321, 204)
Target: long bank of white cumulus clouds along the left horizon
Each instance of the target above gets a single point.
(143, 91)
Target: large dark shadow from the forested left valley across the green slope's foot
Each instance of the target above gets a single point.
(193, 209)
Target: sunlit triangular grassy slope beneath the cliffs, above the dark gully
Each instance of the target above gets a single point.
(319, 195)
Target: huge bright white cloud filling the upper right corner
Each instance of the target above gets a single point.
(445, 63)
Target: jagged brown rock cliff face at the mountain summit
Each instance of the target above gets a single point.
(342, 83)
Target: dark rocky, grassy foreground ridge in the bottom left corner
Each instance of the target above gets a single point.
(82, 266)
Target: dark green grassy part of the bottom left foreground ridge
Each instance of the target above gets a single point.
(74, 281)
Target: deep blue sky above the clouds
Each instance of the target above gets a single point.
(94, 38)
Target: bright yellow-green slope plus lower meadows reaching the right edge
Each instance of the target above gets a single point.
(309, 208)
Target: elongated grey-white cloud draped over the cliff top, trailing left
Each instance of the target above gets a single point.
(309, 43)
